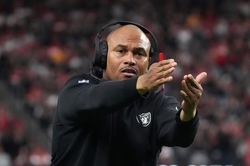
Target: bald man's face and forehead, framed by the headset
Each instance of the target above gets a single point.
(128, 53)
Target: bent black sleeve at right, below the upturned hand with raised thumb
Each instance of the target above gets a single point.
(171, 131)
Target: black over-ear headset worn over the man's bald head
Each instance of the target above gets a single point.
(101, 47)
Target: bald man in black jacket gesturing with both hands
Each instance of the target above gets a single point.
(123, 119)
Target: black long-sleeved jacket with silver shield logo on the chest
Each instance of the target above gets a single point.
(108, 123)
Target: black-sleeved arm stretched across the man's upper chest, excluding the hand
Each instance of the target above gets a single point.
(91, 101)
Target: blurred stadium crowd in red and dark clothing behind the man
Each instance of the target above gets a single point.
(43, 43)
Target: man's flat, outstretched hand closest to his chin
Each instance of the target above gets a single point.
(157, 75)
